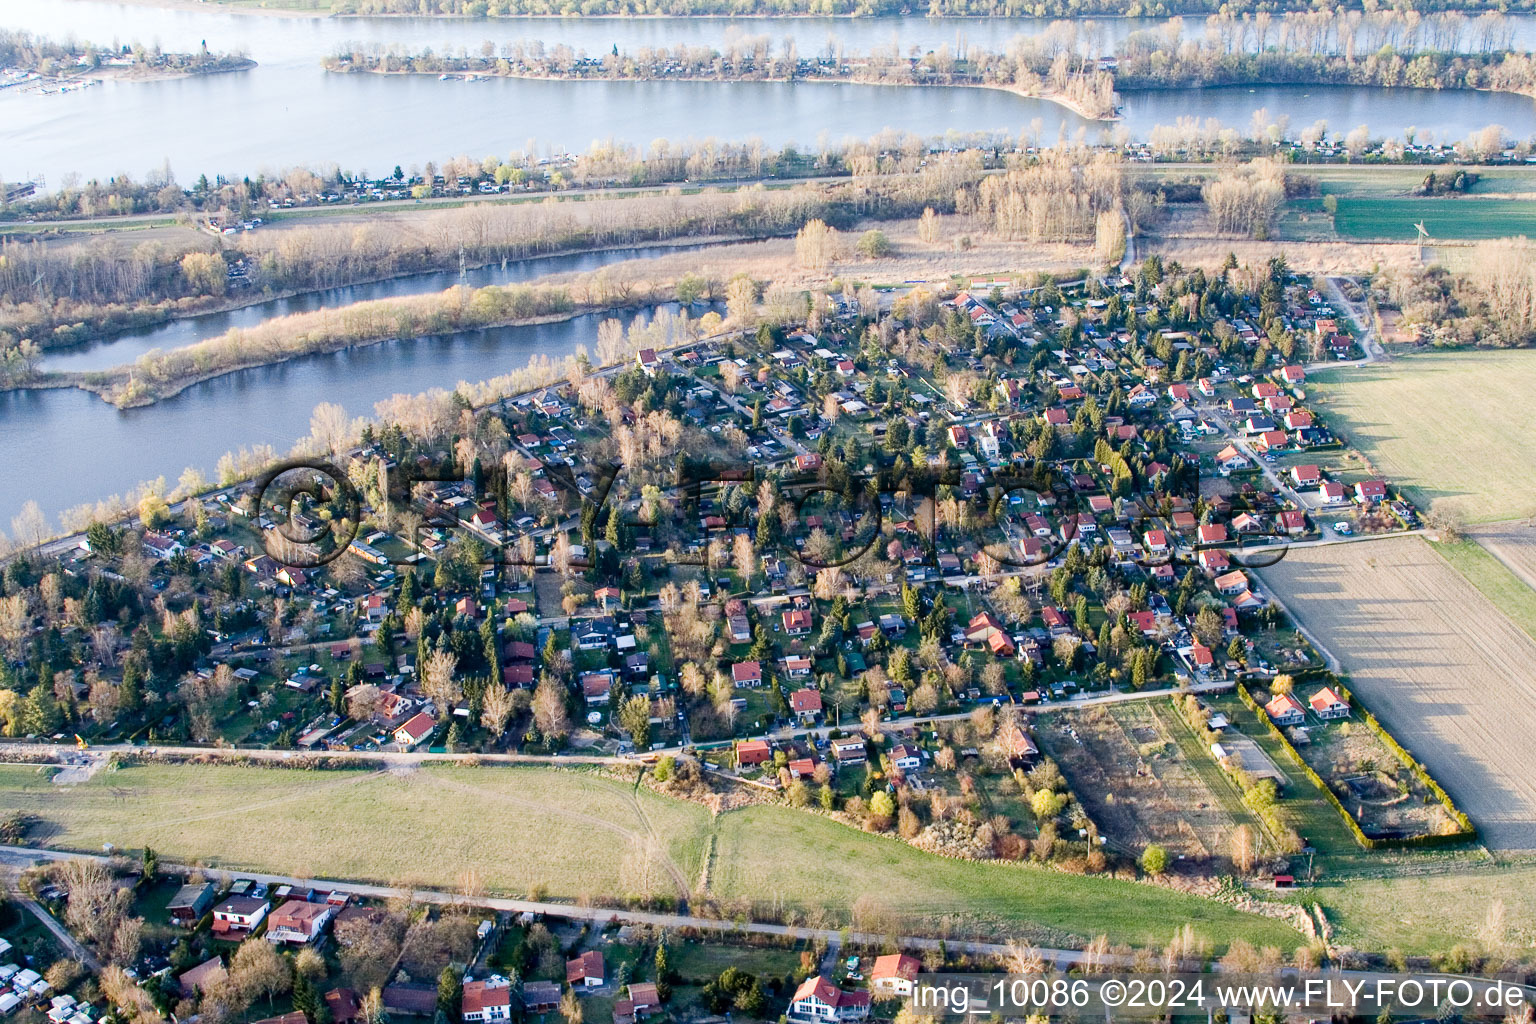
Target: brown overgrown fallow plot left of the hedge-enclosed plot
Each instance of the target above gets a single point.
(1140, 785)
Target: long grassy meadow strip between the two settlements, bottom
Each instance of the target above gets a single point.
(598, 837)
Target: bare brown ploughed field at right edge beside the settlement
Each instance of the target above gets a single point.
(1451, 676)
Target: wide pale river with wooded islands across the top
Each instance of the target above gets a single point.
(288, 111)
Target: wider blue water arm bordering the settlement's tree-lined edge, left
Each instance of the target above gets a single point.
(65, 448)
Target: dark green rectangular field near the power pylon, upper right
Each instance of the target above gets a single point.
(1445, 219)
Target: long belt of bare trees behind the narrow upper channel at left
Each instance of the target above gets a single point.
(64, 296)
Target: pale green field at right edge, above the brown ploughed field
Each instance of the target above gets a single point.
(1438, 424)
